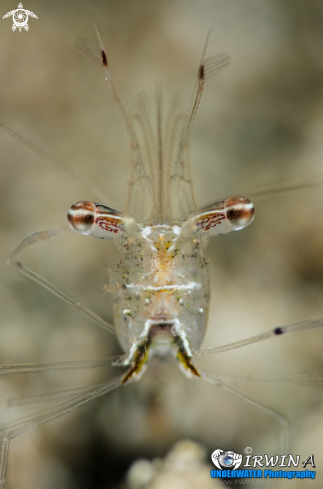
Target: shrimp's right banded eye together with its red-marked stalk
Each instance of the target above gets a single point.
(224, 216)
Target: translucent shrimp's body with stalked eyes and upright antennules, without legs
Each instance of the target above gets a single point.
(160, 286)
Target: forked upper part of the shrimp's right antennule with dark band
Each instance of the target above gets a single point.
(207, 68)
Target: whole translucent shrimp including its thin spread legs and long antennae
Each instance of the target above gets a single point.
(160, 286)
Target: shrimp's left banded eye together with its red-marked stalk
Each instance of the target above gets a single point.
(95, 220)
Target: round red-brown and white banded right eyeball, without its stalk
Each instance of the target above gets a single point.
(239, 212)
